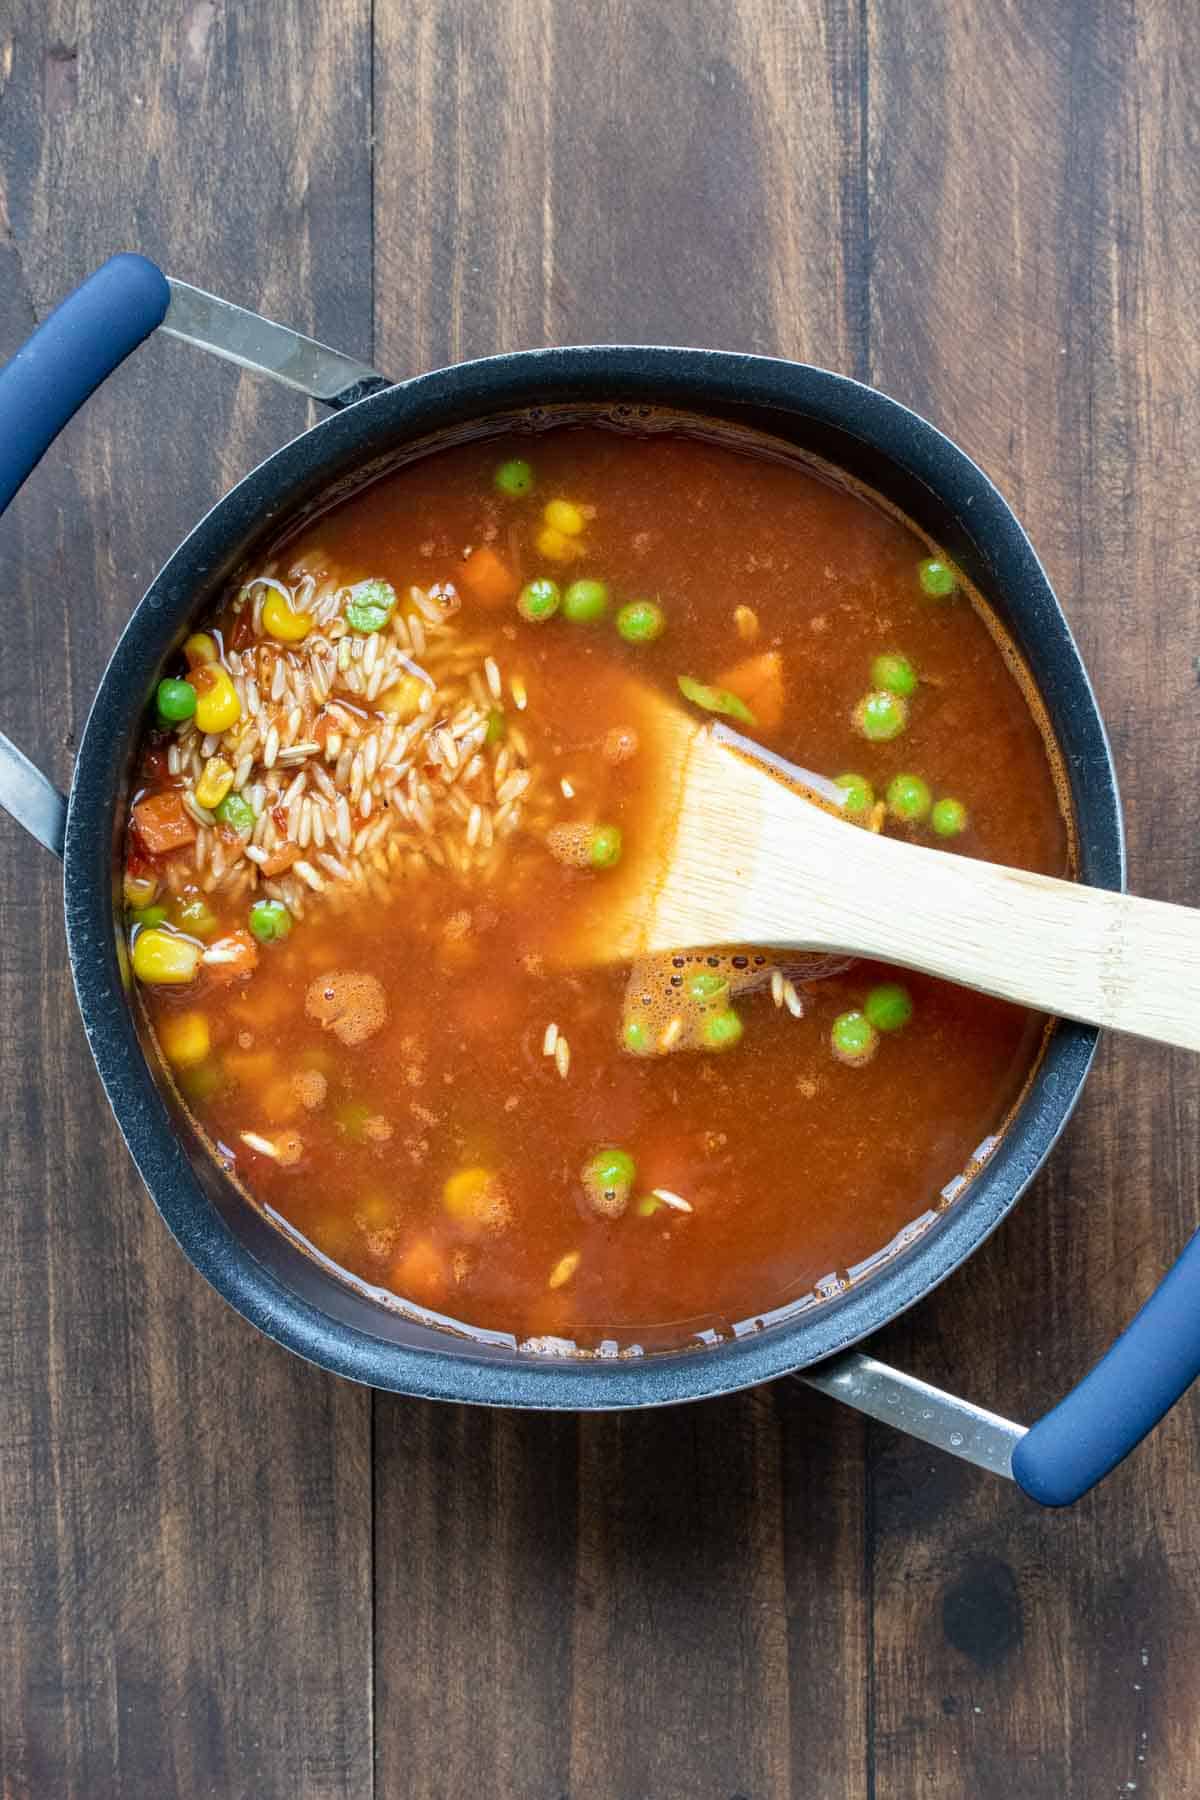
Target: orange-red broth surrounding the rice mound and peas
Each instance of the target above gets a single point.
(445, 1158)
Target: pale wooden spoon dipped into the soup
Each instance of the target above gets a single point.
(744, 849)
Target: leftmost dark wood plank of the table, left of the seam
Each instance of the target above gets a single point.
(184, 1509)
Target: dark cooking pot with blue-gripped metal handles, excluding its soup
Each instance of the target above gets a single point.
(256, 1264)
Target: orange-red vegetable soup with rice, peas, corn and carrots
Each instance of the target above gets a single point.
(395, 760)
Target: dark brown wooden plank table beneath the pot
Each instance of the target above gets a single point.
(228, 1574)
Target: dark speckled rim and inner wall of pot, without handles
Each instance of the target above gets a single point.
(708, 384)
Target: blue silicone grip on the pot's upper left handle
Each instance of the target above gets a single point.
(69, 355)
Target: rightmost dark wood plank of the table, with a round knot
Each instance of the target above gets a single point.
(1034, 249)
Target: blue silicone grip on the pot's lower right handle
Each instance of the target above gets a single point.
(1124, 1398)
